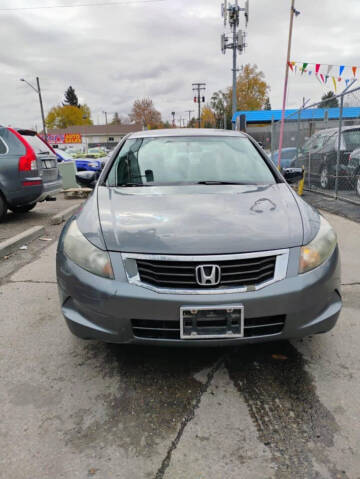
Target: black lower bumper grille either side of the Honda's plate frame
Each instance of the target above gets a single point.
(158, 329)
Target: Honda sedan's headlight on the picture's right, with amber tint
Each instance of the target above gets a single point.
(319, 249)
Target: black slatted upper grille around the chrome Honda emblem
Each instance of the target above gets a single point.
(181, 274)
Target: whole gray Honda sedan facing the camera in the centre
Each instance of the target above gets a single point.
(194, 237)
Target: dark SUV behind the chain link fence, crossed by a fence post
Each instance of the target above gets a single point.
(319, 156)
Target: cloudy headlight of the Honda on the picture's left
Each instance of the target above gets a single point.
(85, 254)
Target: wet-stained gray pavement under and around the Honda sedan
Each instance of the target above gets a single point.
(75, 409)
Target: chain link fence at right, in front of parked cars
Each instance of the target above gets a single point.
(323, 141)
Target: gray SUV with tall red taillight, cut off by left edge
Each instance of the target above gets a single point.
(28, 170)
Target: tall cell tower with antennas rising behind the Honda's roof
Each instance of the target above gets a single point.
(231, 15)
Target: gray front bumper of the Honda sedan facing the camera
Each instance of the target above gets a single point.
(98, 308)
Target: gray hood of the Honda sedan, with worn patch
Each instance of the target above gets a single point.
(199, 219)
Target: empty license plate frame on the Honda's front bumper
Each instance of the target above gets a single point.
(210, 322)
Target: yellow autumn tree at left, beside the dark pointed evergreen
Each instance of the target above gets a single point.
(67, 115)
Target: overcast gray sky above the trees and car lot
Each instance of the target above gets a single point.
(112, 54)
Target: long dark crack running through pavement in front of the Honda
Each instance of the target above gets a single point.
(188, 418)
